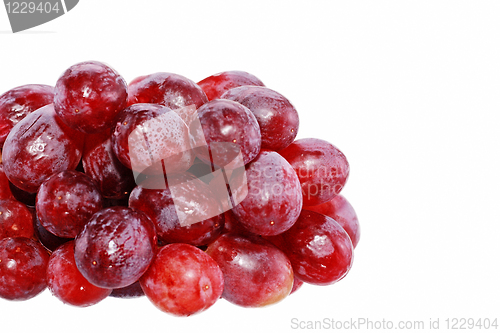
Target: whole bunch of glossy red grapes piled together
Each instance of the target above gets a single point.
(76, 218)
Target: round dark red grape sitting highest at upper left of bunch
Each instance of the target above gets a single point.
(89, 95)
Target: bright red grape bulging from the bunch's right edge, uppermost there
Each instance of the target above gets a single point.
(322, 169)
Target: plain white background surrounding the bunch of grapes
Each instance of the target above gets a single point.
(408, 90)
